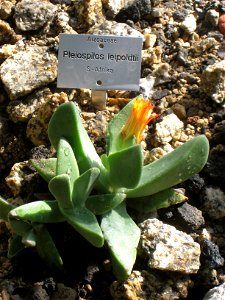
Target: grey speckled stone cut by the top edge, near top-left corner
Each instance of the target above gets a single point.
(33, 14)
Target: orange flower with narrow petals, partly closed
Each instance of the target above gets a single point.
(140, 116)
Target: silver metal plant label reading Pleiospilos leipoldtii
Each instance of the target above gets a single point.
(99, 62)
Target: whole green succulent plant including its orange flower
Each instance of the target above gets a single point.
(92, 193)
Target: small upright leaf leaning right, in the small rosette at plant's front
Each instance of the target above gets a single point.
(83, 186)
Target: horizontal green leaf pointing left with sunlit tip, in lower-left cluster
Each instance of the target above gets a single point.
(38, 211)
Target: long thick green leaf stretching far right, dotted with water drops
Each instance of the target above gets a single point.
(174, 168)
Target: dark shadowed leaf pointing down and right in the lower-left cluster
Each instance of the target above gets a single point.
(46, 248)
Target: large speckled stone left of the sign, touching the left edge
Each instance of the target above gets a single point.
(27, 70)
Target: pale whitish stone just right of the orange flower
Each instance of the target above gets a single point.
(167, 129)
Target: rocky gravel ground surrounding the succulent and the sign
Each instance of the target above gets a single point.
(183, 72)
